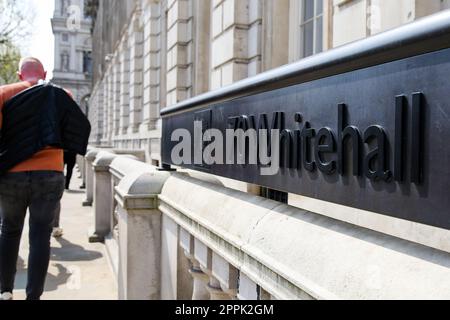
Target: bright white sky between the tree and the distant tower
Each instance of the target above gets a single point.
(41, 44)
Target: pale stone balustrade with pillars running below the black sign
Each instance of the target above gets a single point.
(183, 235)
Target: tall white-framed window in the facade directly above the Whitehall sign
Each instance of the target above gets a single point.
(311, 27)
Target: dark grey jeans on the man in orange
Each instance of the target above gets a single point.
(40, 192)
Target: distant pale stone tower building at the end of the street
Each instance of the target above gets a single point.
(73, 49)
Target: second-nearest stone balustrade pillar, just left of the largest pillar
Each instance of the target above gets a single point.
(103, 197)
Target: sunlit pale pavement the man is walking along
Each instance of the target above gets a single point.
(78, 269)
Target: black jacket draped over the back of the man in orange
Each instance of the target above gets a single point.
(42, 116)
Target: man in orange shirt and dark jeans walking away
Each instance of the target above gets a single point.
(37, 123)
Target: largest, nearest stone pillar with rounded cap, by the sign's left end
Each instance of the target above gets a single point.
(140, 235)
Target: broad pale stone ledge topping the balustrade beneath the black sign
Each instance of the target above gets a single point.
(294, 254)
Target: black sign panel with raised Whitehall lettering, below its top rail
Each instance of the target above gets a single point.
(376, 138)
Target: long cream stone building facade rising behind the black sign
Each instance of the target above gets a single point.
(153, 54)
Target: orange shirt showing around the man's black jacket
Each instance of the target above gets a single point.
(49, 159)
